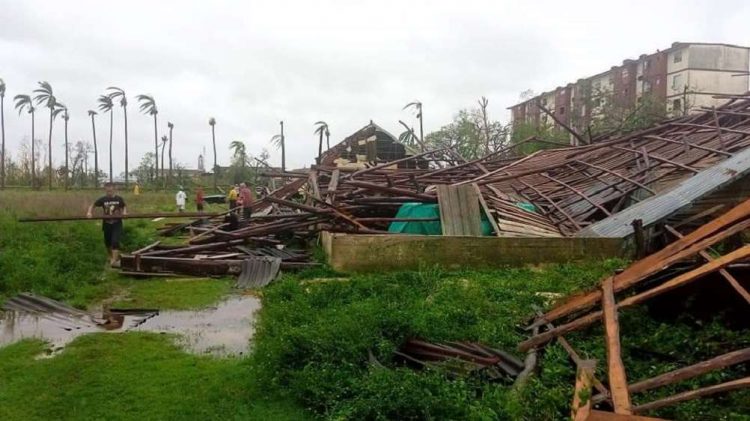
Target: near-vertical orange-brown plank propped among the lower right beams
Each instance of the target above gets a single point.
(618, 384)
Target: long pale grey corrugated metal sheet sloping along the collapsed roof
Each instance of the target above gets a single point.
(680, 197)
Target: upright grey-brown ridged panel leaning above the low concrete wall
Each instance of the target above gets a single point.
(459, 210)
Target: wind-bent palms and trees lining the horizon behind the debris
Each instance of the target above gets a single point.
(471, 134)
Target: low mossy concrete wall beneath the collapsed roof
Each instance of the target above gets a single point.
(371, 253)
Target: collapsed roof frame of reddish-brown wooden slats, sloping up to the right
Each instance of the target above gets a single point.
(573, 190)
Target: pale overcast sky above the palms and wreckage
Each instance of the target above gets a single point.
(250, 64)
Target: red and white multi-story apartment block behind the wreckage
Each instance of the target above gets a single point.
(682, 78)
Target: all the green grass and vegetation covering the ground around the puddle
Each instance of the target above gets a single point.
(314, 336)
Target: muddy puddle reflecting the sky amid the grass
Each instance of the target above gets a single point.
(225, 329)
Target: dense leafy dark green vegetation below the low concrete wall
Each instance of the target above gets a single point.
(313, 341)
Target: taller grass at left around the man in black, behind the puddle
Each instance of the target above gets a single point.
(63, 260)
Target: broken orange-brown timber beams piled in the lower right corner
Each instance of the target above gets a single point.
(652, 276)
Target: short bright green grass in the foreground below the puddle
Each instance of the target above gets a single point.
(133, 376)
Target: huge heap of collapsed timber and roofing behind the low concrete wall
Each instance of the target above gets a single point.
(680, 172)
